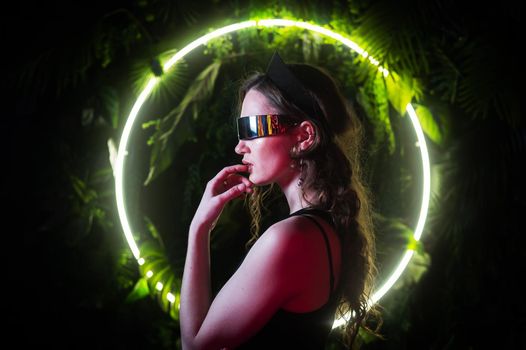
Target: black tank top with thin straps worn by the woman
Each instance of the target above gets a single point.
(292, 330)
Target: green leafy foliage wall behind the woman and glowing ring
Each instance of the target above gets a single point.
(448, 60)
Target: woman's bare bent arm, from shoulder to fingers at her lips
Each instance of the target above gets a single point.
(274, 272)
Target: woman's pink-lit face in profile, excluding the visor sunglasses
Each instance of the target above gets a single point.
(268, 157)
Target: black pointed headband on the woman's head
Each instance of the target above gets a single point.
(292, 88)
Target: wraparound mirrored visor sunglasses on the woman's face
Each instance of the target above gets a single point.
(254, 126)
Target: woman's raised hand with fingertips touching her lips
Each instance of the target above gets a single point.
(224, 187)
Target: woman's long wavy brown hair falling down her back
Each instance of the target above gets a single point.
(332, 169)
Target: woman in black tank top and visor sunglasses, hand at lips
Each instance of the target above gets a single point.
(316, 263)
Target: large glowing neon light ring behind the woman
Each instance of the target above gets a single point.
(122, 150)
